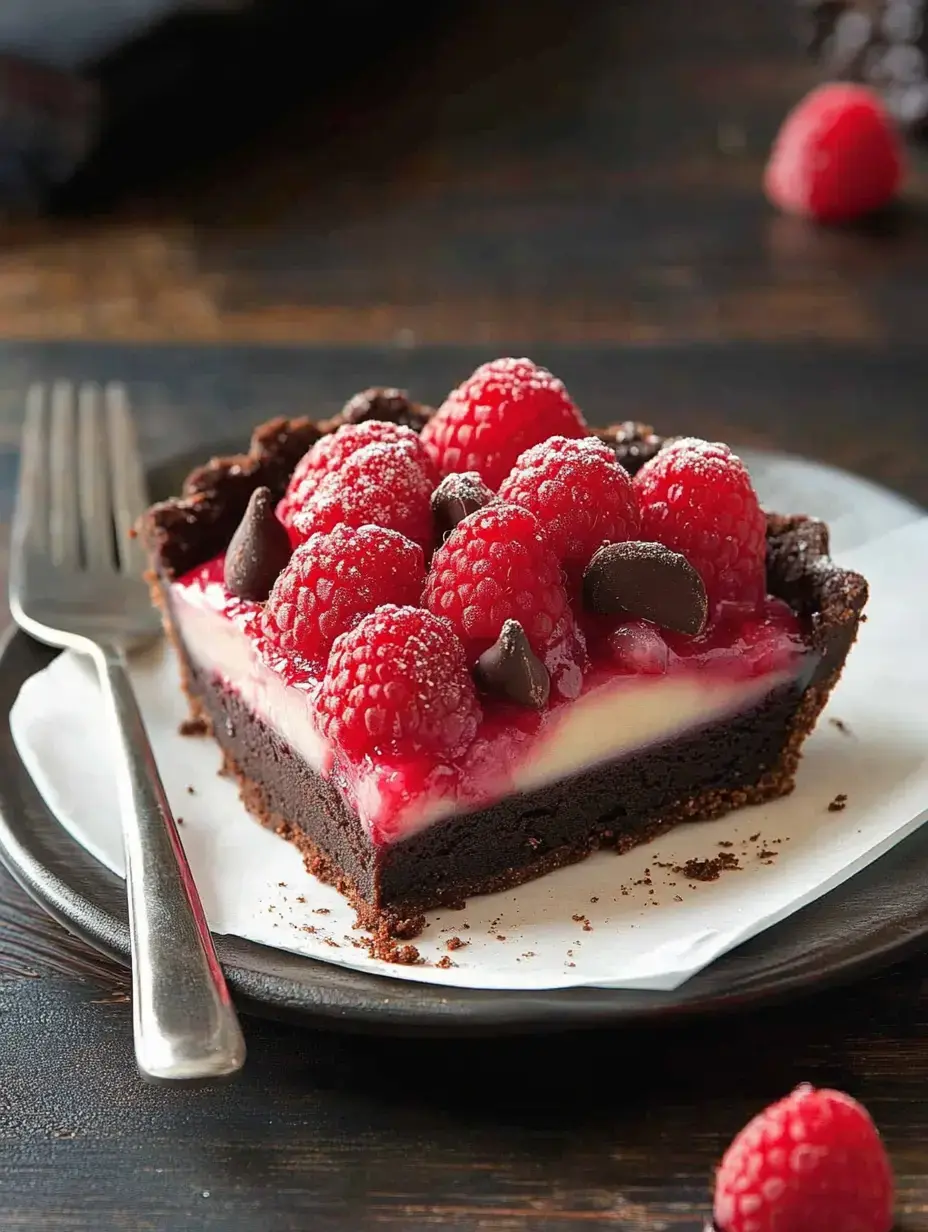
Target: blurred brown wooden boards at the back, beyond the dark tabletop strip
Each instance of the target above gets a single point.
(524, 172)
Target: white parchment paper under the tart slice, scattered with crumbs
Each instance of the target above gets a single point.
(634, 921)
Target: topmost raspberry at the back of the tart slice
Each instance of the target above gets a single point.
(499, 413)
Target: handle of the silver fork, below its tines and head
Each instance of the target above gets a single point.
(185, 1024)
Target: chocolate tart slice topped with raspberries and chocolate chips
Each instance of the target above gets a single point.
(439, 649)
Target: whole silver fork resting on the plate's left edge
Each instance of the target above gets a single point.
(76, 581)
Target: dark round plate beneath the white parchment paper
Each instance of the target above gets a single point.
(879, 917)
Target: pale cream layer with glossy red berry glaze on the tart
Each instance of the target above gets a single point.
(513, 747)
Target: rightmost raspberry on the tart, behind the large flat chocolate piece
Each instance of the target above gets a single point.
(697, 498)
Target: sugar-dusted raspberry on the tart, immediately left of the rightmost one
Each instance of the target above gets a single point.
(580, 495)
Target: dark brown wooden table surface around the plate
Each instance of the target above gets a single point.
(582, 187)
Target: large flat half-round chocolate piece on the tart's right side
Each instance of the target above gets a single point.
(650, 582)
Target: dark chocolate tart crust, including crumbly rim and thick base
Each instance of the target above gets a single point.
(743, 761)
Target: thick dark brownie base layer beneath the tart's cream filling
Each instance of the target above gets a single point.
(523, 837)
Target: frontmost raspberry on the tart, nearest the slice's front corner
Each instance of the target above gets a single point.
(399, 683)
